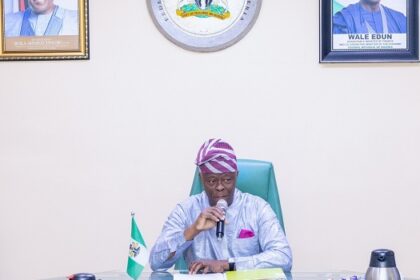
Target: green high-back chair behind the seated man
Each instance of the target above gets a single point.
(255, 177)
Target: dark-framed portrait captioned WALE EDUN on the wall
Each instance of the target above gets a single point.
(369, 31)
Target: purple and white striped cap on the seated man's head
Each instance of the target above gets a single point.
(216, 156)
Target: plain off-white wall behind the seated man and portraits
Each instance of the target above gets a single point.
(84, 142)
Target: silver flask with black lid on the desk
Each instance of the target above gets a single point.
(382, 266)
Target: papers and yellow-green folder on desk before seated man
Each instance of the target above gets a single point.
(255, 274)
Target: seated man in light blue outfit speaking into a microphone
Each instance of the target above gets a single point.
(253, 236)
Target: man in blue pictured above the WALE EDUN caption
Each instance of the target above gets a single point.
(368, 16)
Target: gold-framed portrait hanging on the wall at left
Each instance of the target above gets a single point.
(44, 30)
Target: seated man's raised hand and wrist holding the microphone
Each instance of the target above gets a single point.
(205, 221)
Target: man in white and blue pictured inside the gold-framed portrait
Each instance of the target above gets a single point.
(42, 18)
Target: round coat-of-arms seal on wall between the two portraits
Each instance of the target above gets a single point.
(204, 25)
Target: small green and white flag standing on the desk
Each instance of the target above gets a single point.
(137, 255)
